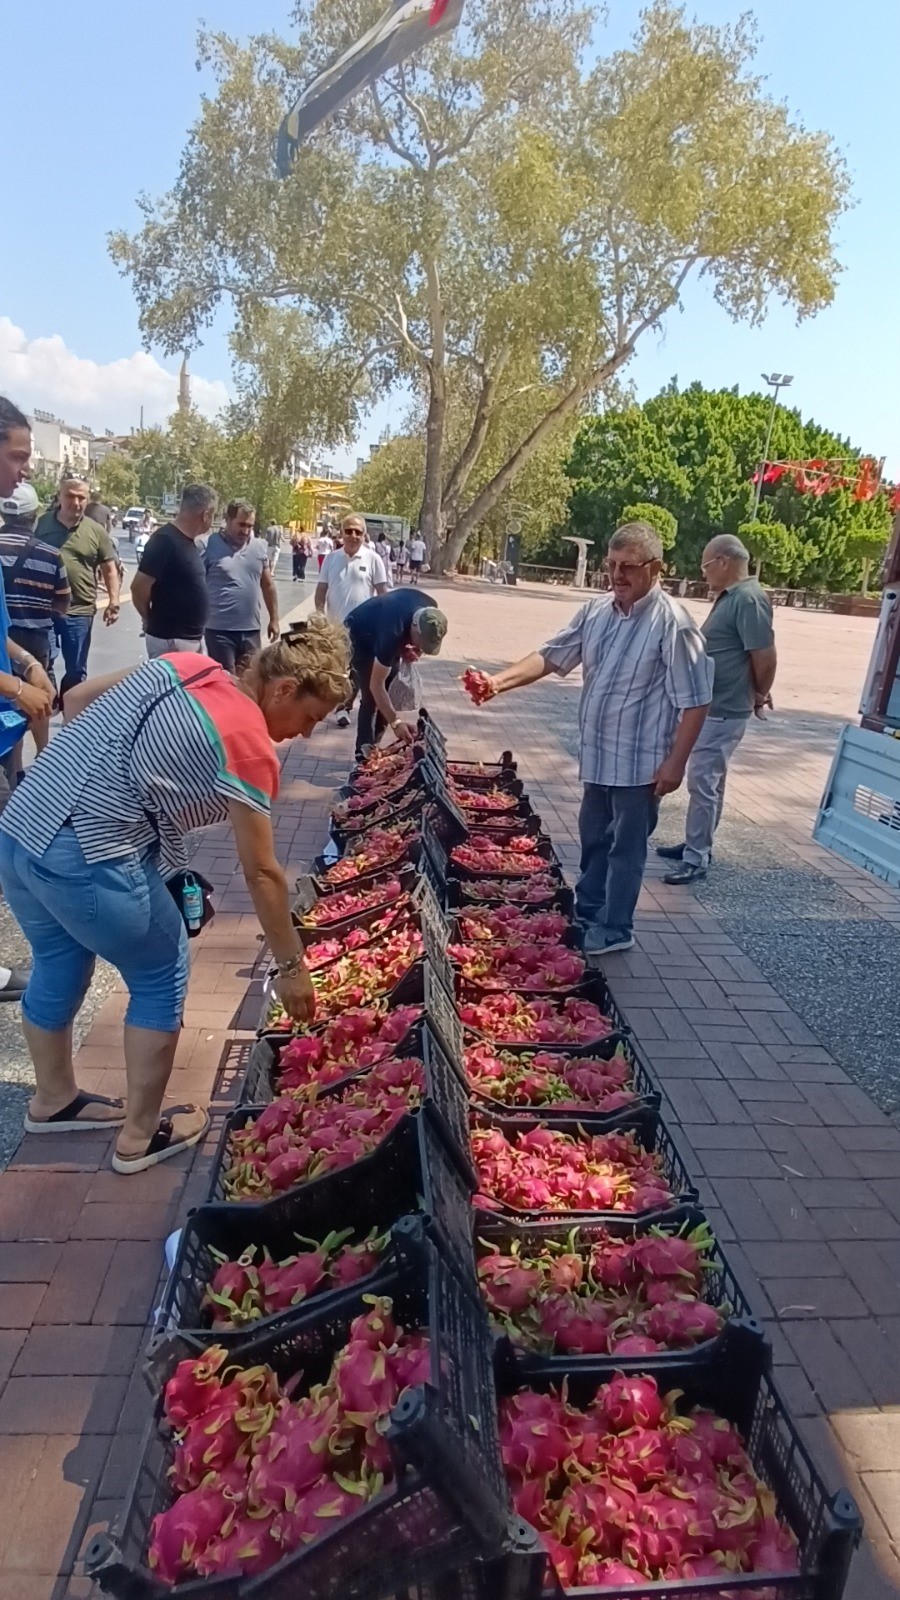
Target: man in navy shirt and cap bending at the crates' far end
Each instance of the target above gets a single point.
(384, 631)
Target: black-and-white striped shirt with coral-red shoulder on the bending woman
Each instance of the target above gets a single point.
(142, 767)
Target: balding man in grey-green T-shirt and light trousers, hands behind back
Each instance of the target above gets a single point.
(741, 641)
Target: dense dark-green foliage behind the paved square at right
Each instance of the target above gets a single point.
(694, 454)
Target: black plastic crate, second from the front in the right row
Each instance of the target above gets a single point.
(720, 1289)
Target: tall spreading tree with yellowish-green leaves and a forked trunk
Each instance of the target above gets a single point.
(497, 223)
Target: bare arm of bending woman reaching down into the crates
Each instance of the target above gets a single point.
(270, 892)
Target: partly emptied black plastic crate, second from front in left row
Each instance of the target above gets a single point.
(411, 1174)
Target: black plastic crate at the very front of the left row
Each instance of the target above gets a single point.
(448, 1506)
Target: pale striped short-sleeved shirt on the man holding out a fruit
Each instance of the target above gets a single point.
(641, 671)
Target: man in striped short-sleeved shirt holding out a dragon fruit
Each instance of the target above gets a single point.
(648, 690)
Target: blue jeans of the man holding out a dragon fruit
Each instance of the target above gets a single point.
(614, 826)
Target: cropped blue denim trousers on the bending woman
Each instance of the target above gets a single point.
(73, 911)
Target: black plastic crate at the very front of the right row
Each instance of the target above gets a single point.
(739, 1386)
